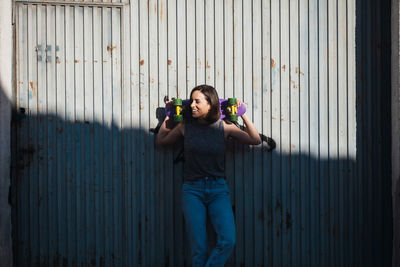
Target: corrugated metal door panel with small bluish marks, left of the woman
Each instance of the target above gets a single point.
(69, 98)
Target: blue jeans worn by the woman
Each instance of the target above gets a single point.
(212, 195)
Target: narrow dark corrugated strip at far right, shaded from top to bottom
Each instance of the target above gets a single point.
(373, 117)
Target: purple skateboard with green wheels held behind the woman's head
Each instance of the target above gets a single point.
(180, 109)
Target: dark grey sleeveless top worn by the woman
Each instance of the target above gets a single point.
(204, 148)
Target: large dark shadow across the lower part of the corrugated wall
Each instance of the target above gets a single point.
(90, 193)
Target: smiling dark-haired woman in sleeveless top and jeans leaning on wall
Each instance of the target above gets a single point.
(204, 188)
